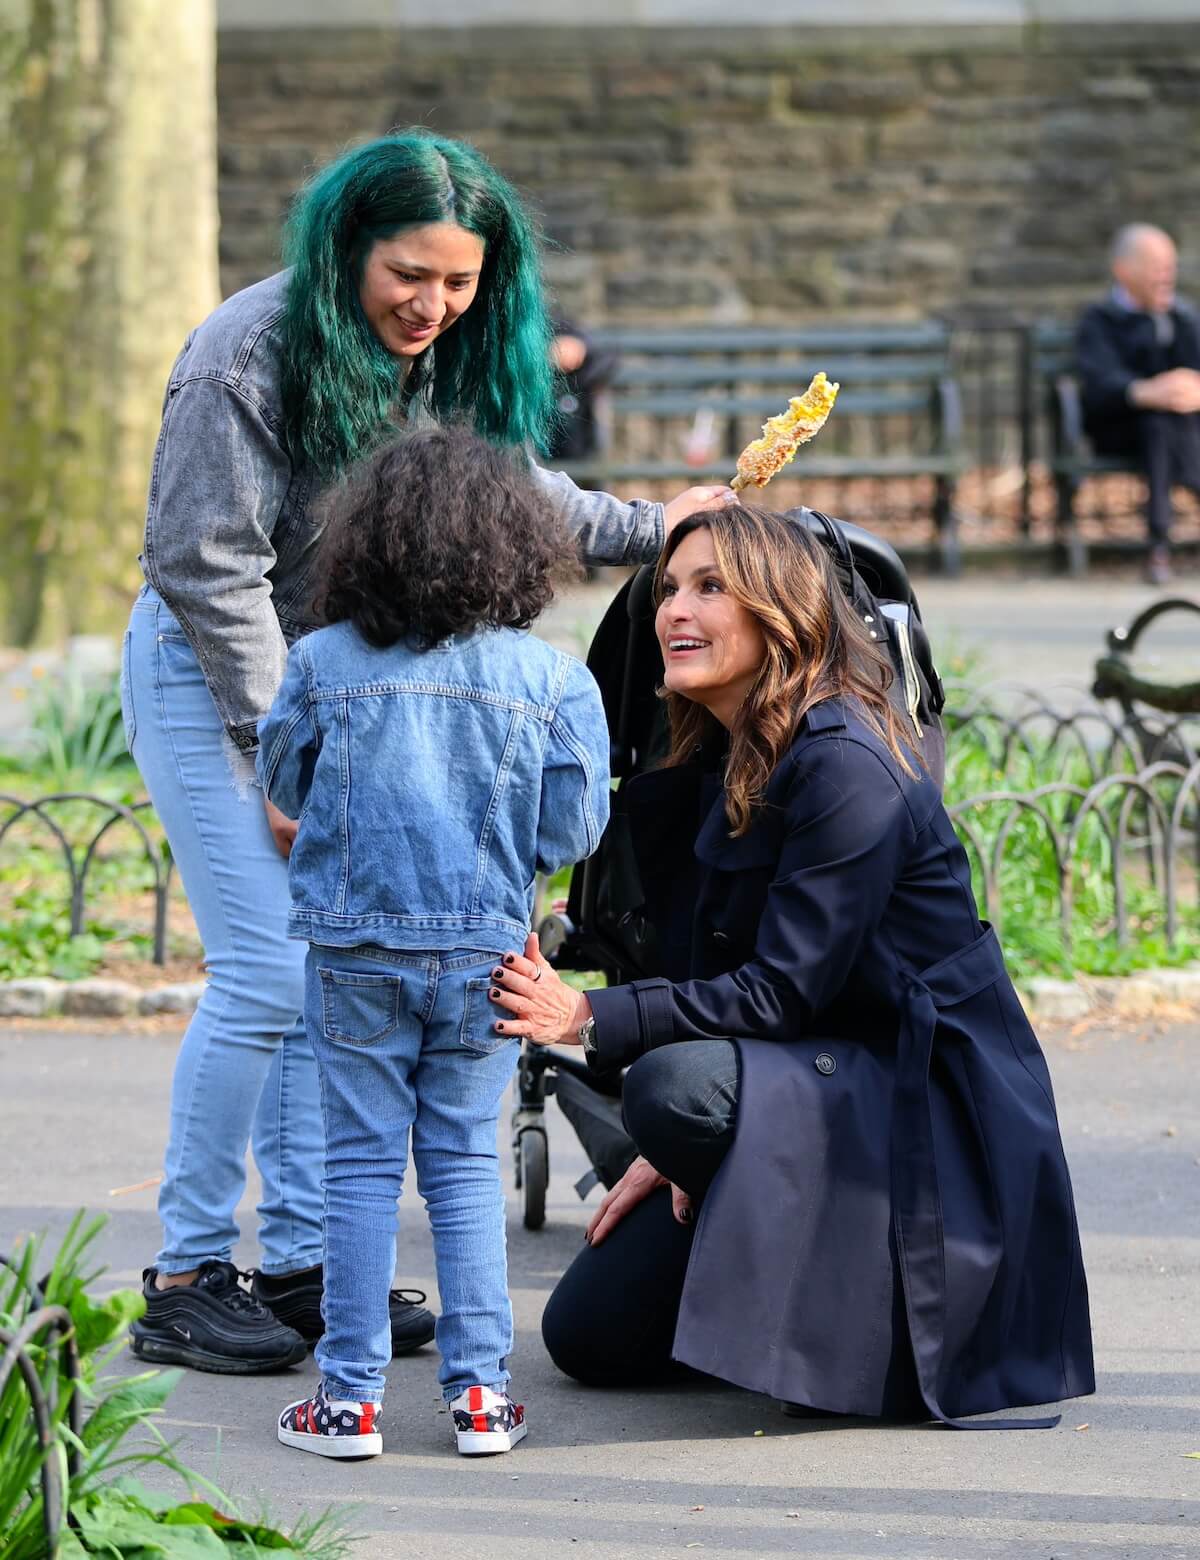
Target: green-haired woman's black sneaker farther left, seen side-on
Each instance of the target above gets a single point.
(213, 1325)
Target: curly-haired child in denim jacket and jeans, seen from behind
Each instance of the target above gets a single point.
(438, 757)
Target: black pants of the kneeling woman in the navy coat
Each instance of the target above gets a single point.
(612, 1317)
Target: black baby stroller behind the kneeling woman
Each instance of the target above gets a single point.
(605, 927)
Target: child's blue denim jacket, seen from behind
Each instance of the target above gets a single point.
(433, 785)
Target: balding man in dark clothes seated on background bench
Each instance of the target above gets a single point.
(1140, 372)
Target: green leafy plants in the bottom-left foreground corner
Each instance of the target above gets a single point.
(96, 1464)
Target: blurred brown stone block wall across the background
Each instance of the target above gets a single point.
(770, 174)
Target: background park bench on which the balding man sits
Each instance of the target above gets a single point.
(1071, 461)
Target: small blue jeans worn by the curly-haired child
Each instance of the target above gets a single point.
(405, 1046)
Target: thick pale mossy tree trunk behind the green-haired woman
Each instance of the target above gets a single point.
(108, 257)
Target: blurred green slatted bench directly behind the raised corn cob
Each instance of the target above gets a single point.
(898, 414)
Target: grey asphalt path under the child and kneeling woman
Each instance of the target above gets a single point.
(706, 1469)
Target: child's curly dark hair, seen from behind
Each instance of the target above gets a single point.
(436, 534)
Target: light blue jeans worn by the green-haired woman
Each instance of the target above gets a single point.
(246, 1069)
